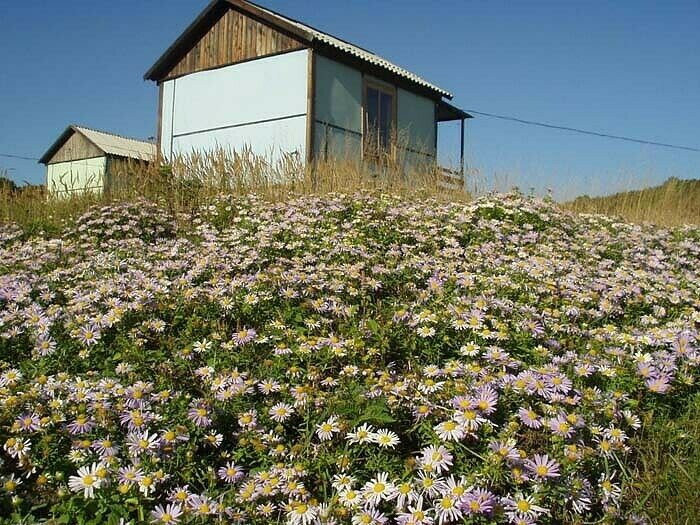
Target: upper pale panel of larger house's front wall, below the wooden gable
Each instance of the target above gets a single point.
(263, 89)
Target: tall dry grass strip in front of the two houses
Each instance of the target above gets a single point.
(190, 181)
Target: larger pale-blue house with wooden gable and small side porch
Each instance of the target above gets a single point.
(242, 76)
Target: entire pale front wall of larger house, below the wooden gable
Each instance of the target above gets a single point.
(260, 104)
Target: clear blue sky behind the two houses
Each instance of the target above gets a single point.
(625, 67)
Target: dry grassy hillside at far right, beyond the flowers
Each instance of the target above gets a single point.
(674, 202)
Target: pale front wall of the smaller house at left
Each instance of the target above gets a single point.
(66, 178)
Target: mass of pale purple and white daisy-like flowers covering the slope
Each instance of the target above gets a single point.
(357, 359)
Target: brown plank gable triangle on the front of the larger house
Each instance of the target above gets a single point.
(235, 37)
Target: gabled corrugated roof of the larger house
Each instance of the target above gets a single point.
(305, 33)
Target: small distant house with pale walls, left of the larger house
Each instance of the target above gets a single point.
(87, 160)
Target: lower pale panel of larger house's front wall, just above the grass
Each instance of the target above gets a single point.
(268, 139)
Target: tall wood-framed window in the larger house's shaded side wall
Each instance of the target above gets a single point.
(379, 119)
